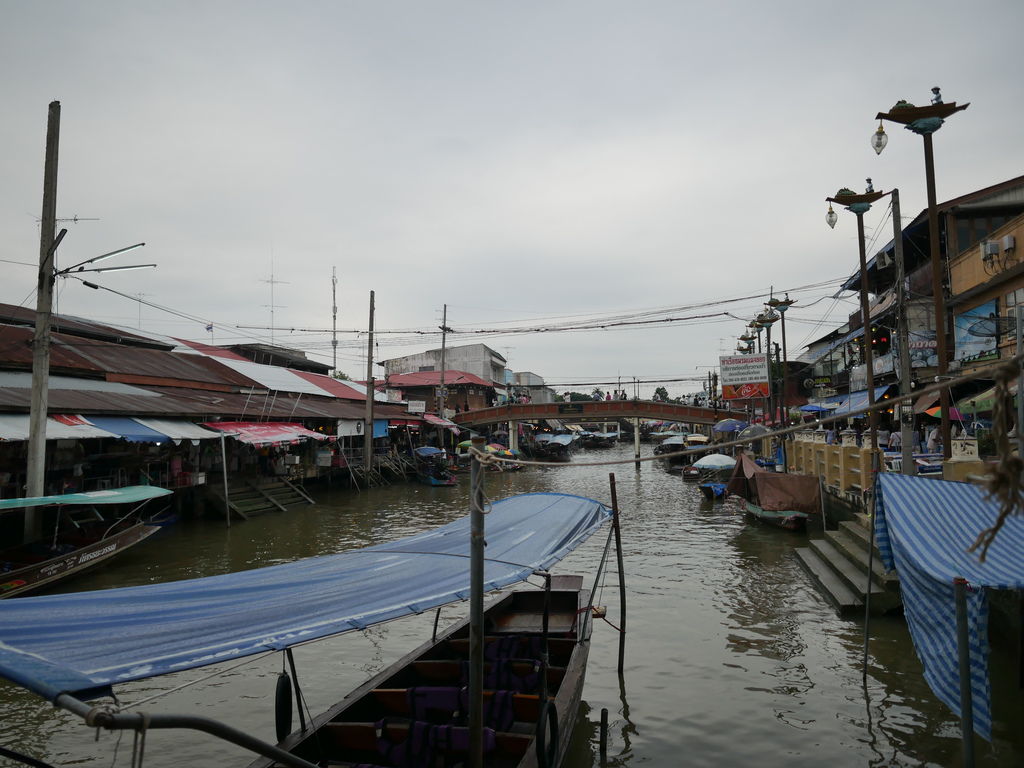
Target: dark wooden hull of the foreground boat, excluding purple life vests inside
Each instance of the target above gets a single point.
(348, 733)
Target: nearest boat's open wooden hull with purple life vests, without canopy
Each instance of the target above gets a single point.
(421, 702)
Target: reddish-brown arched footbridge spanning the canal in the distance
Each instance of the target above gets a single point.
(595, 411)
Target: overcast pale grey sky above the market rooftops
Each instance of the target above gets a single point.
(530, 165)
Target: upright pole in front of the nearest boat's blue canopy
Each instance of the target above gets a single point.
(477, 545)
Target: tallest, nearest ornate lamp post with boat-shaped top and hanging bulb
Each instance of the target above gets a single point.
(925, 121)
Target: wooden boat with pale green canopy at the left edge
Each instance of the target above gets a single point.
(82, 532)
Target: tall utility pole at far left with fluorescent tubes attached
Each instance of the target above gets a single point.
(41, 342)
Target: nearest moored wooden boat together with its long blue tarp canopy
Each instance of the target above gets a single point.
(533, 645)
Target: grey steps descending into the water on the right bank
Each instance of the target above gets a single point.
(839, 566)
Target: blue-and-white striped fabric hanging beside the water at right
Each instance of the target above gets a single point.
(924, 528)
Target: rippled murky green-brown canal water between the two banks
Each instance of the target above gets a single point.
(733, 659)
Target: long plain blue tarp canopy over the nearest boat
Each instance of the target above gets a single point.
(84, 643)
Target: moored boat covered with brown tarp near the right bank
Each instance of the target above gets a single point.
(786, 501)
